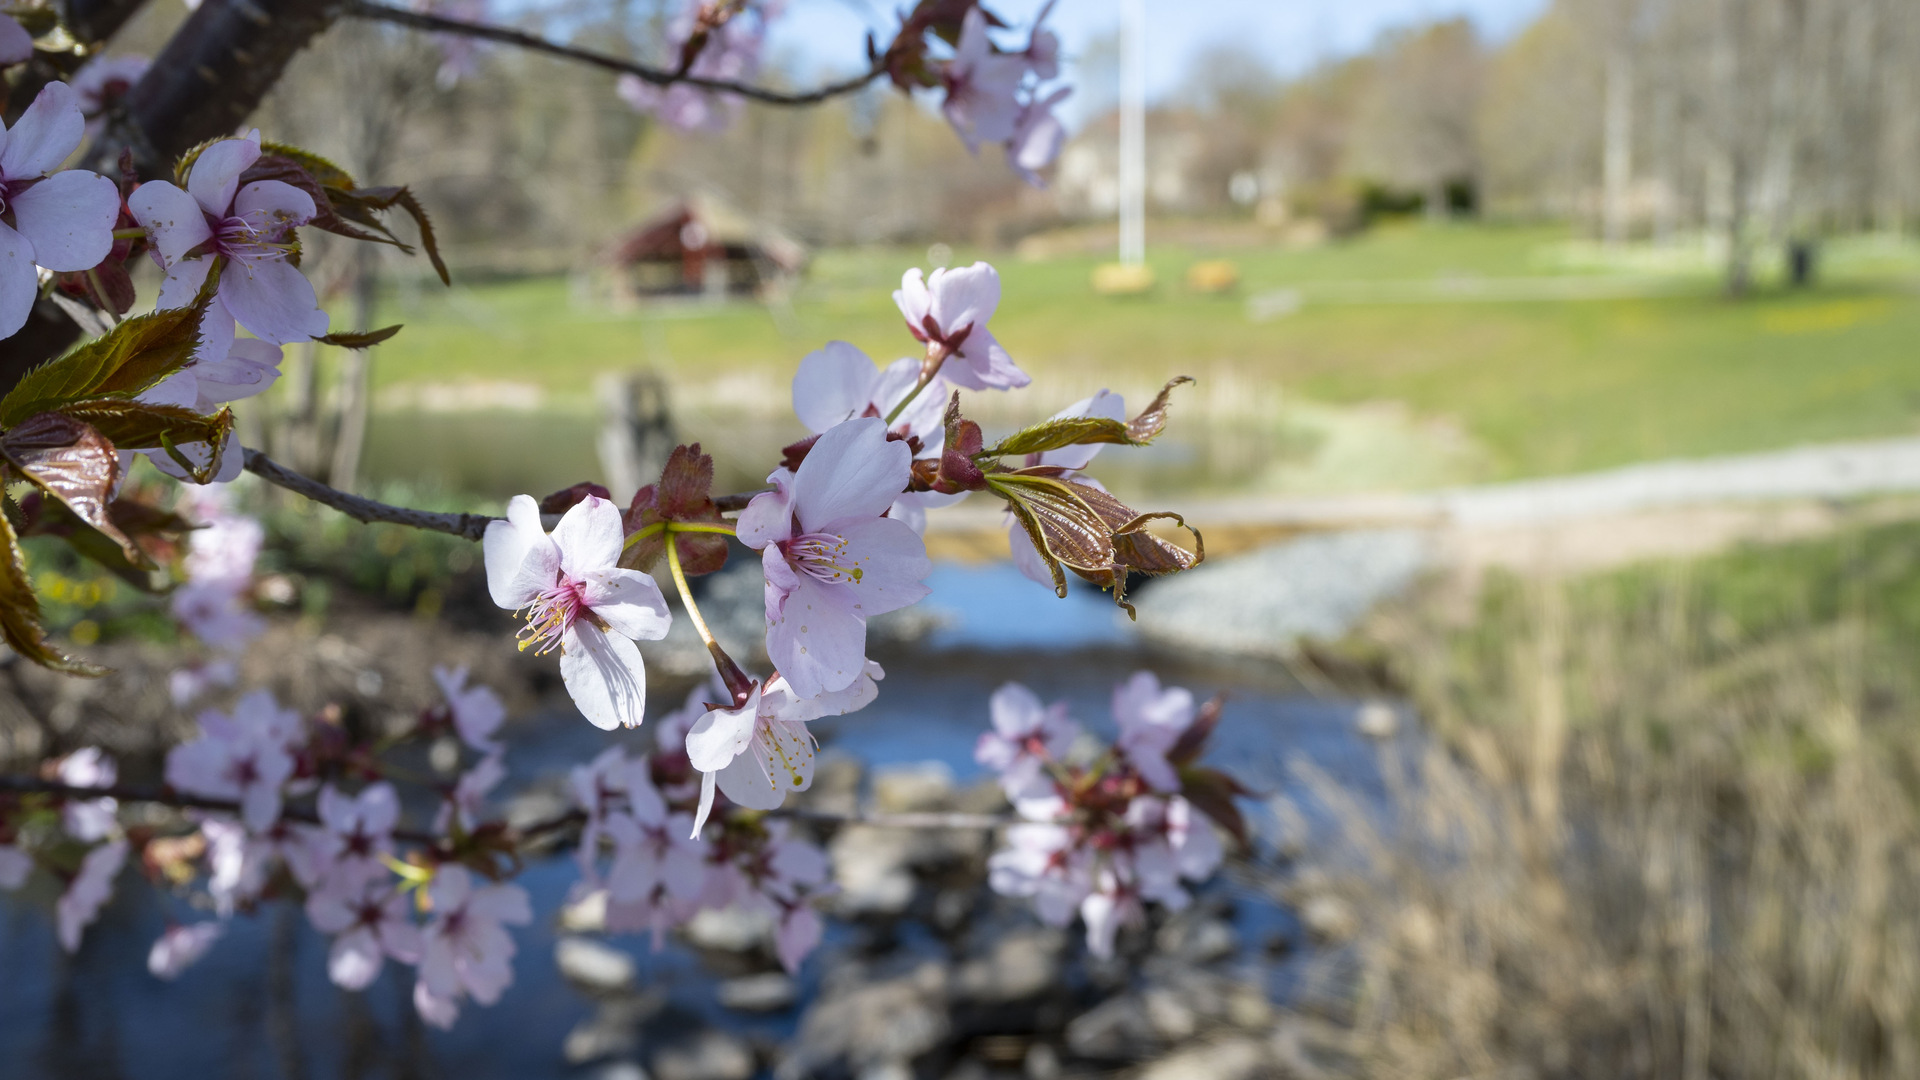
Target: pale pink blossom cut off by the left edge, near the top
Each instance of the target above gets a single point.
(62, 222)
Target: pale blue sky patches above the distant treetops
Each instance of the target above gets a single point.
(828, 36)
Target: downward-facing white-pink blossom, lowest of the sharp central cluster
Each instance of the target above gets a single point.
(761, 750)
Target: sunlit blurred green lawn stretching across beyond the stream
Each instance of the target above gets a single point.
(1539, 387)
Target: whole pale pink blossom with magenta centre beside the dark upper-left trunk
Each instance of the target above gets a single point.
(251, 228)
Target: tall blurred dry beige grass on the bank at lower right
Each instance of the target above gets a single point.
(1646, 837)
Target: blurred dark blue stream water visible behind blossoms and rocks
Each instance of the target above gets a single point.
(262, 1006)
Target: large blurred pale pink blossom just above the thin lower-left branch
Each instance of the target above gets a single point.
(245, 758)
